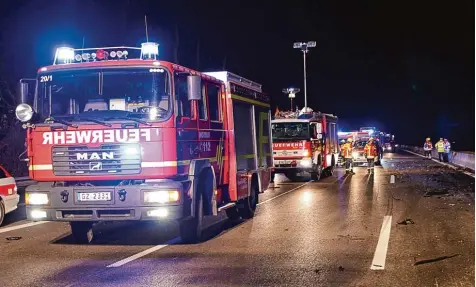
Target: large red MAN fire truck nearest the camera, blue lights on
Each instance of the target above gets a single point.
(114, 137)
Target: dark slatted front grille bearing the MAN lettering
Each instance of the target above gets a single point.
(103, 160)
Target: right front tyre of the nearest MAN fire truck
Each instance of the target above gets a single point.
(191, 228)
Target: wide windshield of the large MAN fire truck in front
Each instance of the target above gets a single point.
(142, 93)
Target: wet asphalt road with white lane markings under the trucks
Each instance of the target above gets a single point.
(340, 231)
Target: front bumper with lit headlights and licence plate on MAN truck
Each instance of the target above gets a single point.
(161, 201)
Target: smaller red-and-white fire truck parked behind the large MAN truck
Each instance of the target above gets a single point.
(304, 141)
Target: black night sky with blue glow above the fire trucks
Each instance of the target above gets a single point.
(406, 67)
